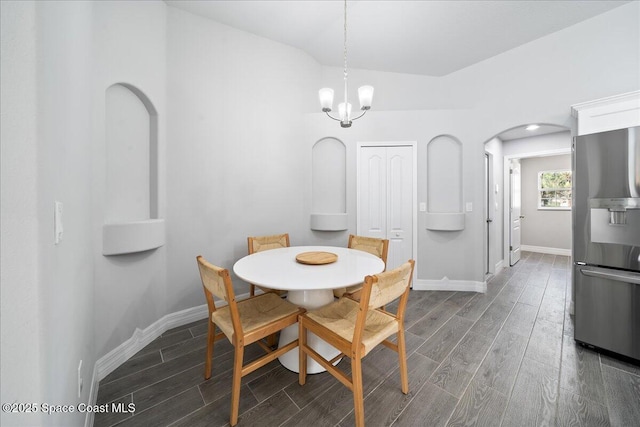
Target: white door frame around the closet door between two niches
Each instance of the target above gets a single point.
(414, 202)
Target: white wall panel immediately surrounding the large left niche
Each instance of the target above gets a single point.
(129, 46)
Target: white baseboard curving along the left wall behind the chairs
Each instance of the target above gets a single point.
(140, 339)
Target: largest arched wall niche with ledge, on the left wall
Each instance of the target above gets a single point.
(131, 217)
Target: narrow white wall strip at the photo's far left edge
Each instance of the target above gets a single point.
(23, 364)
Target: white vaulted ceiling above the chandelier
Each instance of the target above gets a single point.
(418, 37)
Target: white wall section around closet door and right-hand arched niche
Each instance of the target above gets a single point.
(438, 252)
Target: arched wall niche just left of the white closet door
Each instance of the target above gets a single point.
(329, 185)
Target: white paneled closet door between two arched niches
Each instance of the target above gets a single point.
(385, 198)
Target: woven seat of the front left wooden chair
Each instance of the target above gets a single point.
(255, 312)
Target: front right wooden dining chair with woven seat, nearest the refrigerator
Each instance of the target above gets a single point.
(355, 328)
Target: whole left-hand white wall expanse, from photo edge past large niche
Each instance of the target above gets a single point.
(65, 303)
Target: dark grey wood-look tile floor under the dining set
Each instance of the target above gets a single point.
(503, 358)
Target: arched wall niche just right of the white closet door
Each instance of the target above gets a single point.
(444, 184)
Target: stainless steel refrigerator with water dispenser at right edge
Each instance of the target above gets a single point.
(606, 240)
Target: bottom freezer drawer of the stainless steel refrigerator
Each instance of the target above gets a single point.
(607, 309)
